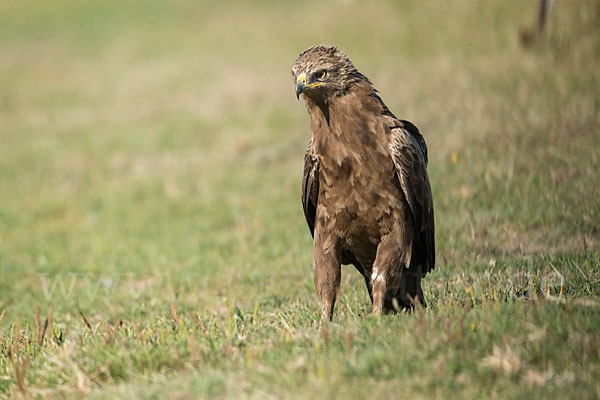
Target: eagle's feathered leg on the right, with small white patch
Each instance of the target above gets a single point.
(388, 274)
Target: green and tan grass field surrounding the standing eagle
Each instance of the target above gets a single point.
(150, 166)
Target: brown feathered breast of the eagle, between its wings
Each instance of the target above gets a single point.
(359, 197)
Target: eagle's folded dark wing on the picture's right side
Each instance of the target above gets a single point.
(409, 153)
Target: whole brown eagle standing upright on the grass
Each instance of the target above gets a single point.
(365, 190)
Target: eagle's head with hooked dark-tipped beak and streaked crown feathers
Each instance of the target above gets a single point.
(323, 71)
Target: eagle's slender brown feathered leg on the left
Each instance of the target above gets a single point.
(326, 272)
